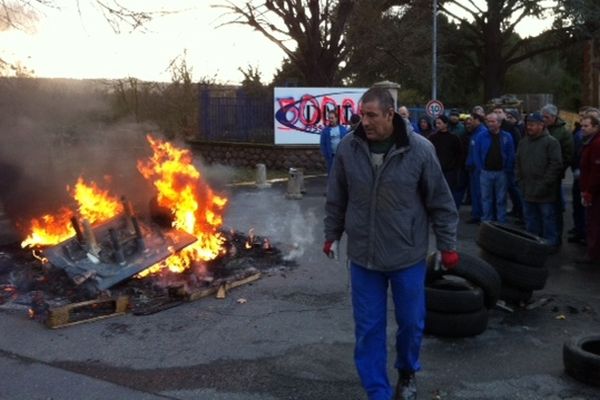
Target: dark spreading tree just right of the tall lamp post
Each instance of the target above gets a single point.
(489, 32)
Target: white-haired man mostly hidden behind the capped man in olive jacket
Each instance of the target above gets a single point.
(558, 130)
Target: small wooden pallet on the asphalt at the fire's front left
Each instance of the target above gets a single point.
(86, 311)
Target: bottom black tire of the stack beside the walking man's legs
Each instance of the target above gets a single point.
(456, 325)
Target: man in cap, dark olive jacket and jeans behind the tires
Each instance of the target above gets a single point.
(539, 169)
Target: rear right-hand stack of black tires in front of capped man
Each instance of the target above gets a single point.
(518, 256)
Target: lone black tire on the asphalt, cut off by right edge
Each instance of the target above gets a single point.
(581, 358)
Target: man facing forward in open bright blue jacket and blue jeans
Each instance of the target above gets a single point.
(494, 157)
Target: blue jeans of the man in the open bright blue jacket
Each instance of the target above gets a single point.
(493, 195)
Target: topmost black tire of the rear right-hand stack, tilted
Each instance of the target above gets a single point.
(513, 244)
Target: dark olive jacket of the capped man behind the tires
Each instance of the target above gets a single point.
(539, 168)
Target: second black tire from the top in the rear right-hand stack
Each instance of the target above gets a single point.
(517, 275)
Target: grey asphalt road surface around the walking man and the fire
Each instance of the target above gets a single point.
(293, 338)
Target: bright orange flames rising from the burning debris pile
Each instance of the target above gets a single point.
(180, 188)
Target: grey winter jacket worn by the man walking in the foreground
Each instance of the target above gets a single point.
(386, 213)
